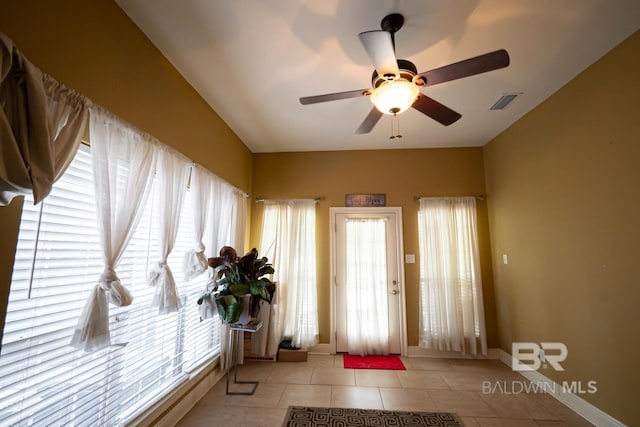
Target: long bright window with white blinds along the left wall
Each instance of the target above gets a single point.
(43, 380)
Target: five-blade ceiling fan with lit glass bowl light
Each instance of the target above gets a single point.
(396, 83)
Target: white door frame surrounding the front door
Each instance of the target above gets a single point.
(402, 312)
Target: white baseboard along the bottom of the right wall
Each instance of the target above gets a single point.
(574, 402)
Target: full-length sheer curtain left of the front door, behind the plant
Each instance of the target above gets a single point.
(288, 240)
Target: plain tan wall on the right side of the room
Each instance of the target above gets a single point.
(564, 203)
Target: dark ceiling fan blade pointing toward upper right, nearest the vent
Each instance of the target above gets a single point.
(469, 67)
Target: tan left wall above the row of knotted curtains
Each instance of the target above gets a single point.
(93, 47)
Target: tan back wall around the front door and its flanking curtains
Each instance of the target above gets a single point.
(401, 175)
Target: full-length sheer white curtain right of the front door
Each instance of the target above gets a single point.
(451, 305)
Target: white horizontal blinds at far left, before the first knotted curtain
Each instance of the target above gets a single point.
(40, 375)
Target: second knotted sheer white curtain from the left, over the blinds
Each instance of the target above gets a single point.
(172, 174)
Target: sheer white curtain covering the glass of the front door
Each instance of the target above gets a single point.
(366, 287)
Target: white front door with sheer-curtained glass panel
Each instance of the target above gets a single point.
(368, 280)
